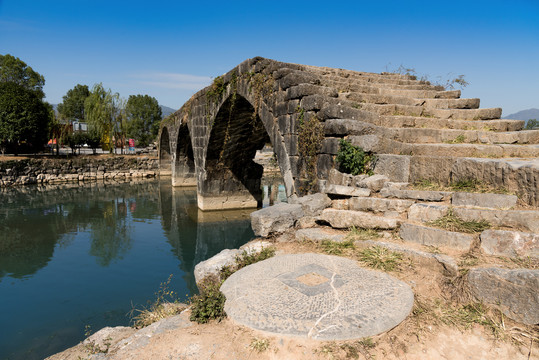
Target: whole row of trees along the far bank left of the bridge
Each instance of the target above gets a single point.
(27, 121)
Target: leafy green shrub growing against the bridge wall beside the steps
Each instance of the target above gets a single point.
(353, 160)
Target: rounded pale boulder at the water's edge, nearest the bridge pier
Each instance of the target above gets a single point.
(276, 218)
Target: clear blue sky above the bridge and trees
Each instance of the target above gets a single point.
(171, 49)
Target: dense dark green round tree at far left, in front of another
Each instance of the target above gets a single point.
(24, 118)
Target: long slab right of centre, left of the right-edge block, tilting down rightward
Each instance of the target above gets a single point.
(436, 237)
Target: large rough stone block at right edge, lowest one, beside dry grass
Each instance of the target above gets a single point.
(514, 291)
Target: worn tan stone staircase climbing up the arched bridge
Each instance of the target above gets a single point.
(419, 131)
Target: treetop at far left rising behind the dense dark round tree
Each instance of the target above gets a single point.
(13, 69)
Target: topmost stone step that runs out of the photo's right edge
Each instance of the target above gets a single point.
(343, 127)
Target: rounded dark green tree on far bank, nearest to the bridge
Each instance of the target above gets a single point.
(144, 115)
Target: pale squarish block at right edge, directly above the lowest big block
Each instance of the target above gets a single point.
(510, 243)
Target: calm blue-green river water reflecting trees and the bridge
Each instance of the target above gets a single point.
(84, 256)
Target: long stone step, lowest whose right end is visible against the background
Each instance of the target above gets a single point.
(432, 123)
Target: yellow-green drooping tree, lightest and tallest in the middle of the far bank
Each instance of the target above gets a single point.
(103, 110)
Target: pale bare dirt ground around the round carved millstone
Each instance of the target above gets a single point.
(437, 328)
